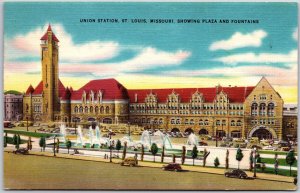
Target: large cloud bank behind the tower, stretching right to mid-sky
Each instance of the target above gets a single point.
(75, 58)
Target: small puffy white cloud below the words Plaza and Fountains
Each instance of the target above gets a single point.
(239, 40)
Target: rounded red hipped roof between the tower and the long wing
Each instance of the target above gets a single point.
(111, 89)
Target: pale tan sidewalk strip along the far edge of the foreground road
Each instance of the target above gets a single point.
(219, 171)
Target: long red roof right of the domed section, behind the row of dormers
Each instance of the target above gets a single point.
(235, 94)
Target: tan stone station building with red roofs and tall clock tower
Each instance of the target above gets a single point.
(217, 111)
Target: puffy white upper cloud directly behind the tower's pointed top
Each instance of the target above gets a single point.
(29, 45)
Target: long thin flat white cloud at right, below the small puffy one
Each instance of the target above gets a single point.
(250, 57)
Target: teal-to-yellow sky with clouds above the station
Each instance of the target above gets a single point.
(156, 55)
